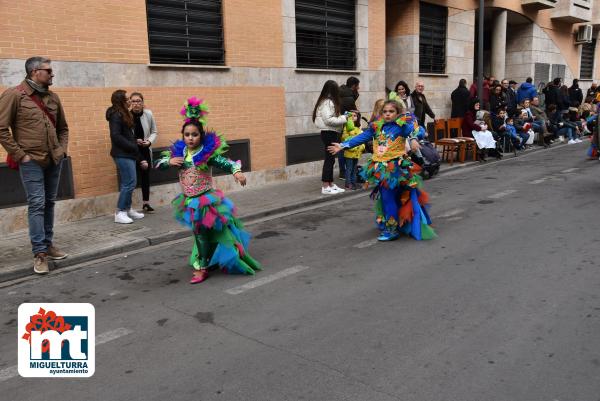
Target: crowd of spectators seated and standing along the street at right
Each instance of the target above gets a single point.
(522, 115)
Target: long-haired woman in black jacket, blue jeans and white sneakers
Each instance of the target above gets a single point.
(125, 153)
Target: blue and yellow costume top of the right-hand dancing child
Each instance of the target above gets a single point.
(388, 166)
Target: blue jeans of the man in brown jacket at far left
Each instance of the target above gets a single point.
(41, 187)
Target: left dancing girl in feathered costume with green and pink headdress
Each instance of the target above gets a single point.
(219, 238)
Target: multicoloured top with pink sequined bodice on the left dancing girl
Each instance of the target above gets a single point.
(194, 174)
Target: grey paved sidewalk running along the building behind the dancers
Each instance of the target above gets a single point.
(95, 238)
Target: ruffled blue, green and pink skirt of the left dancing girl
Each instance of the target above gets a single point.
(219, 237)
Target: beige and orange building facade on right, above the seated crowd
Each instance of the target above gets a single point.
(541, 40)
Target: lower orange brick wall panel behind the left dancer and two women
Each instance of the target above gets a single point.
(255, 113)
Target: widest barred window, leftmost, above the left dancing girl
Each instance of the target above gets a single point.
(185, 32)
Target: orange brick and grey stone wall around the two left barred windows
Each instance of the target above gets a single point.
(258, 95)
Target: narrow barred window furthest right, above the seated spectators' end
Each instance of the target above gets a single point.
(433, 21)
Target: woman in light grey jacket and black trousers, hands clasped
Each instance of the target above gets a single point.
(145, 134)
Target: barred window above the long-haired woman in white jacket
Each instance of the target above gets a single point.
(326, 34)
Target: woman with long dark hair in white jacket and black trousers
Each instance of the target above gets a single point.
(327, 117)
